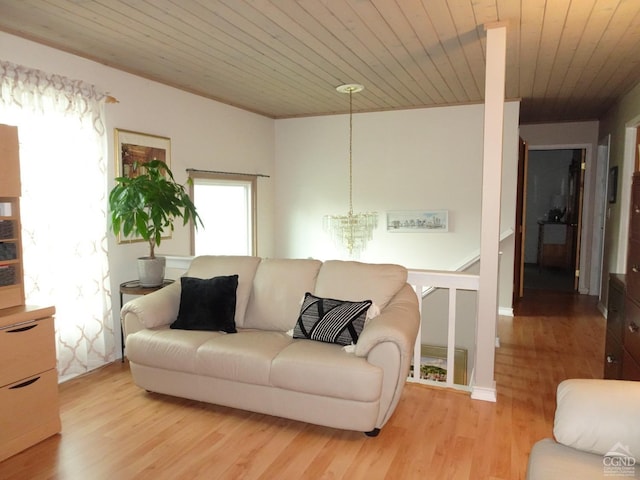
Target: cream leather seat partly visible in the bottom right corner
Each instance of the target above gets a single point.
(596, 430)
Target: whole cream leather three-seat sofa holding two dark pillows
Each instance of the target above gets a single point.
(262, 368)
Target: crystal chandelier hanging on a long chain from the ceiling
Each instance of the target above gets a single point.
(353, 230)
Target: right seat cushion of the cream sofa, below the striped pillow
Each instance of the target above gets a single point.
(325, 369)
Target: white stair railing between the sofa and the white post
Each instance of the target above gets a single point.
(427, 280)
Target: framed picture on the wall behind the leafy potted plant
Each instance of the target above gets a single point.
(133, 150)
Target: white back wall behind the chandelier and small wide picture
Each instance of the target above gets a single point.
(422, 159)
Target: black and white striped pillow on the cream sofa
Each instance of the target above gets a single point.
(331, 321)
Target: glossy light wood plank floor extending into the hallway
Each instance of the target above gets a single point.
(114, 430)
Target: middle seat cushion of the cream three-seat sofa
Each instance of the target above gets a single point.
(245, 357)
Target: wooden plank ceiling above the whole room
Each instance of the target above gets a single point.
(566, 59)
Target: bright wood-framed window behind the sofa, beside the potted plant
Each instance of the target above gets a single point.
(226, 205)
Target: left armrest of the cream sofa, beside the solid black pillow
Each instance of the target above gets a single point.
(152, 310)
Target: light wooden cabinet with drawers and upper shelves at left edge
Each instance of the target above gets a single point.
(29, 410)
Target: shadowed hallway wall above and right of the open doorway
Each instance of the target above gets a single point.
(575, 135)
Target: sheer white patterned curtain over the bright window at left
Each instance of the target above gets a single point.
(63, 152)
